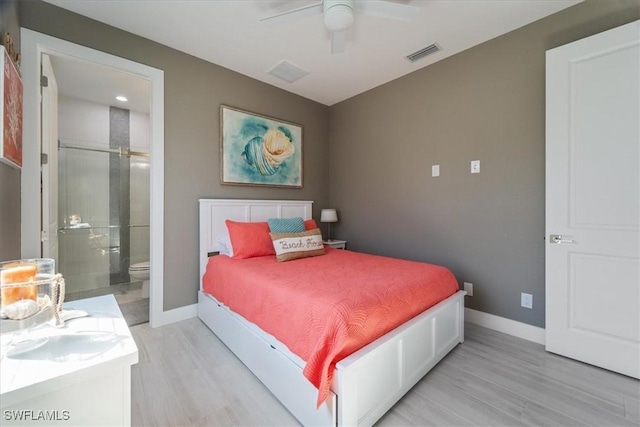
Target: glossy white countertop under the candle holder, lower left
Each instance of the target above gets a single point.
(83, 347)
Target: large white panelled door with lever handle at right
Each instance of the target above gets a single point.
(592, 200)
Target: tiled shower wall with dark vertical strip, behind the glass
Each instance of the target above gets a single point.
(104, 190)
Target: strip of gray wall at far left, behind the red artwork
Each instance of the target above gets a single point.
(9, 176)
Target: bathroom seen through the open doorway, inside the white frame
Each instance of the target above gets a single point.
(96, 126)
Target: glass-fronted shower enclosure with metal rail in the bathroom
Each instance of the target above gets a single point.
(103, 211)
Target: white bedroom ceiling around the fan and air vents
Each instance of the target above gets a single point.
(231, 34)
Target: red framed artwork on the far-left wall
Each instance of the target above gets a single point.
(11, 111)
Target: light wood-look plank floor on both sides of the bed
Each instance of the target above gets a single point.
(187, 377)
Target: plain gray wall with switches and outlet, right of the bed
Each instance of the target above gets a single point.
(486, 103)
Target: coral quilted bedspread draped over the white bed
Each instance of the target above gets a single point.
(326, 307)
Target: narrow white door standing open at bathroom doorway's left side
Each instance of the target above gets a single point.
(49, 148)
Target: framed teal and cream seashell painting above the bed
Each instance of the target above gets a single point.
(259, 150)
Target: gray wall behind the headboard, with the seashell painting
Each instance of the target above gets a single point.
(194, 90)
